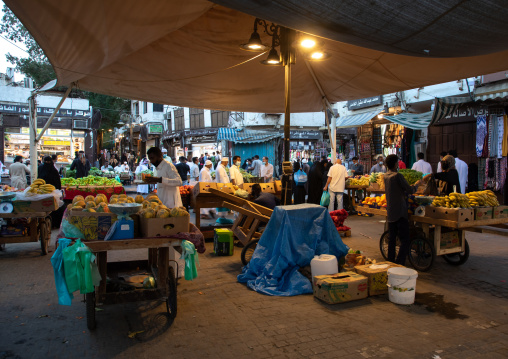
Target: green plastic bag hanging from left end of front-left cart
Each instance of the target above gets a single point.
(81, 272)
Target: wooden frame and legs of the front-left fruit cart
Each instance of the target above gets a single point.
(157, 264)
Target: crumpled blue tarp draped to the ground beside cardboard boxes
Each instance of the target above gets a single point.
(292, 237)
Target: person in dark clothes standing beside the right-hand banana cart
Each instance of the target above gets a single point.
(397, 189)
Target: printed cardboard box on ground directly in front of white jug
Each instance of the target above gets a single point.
(340, 287)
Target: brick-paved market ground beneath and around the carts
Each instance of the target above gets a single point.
(460, 312)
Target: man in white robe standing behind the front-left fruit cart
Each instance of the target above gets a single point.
(166, 177)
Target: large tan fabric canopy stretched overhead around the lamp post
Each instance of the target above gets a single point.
(187, 53)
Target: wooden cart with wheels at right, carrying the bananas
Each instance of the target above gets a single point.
(427, 235)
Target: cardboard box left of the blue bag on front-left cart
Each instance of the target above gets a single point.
(94, 226)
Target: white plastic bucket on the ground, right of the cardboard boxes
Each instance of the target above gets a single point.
(402, 285)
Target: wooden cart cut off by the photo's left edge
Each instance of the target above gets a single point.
(39, 228)
